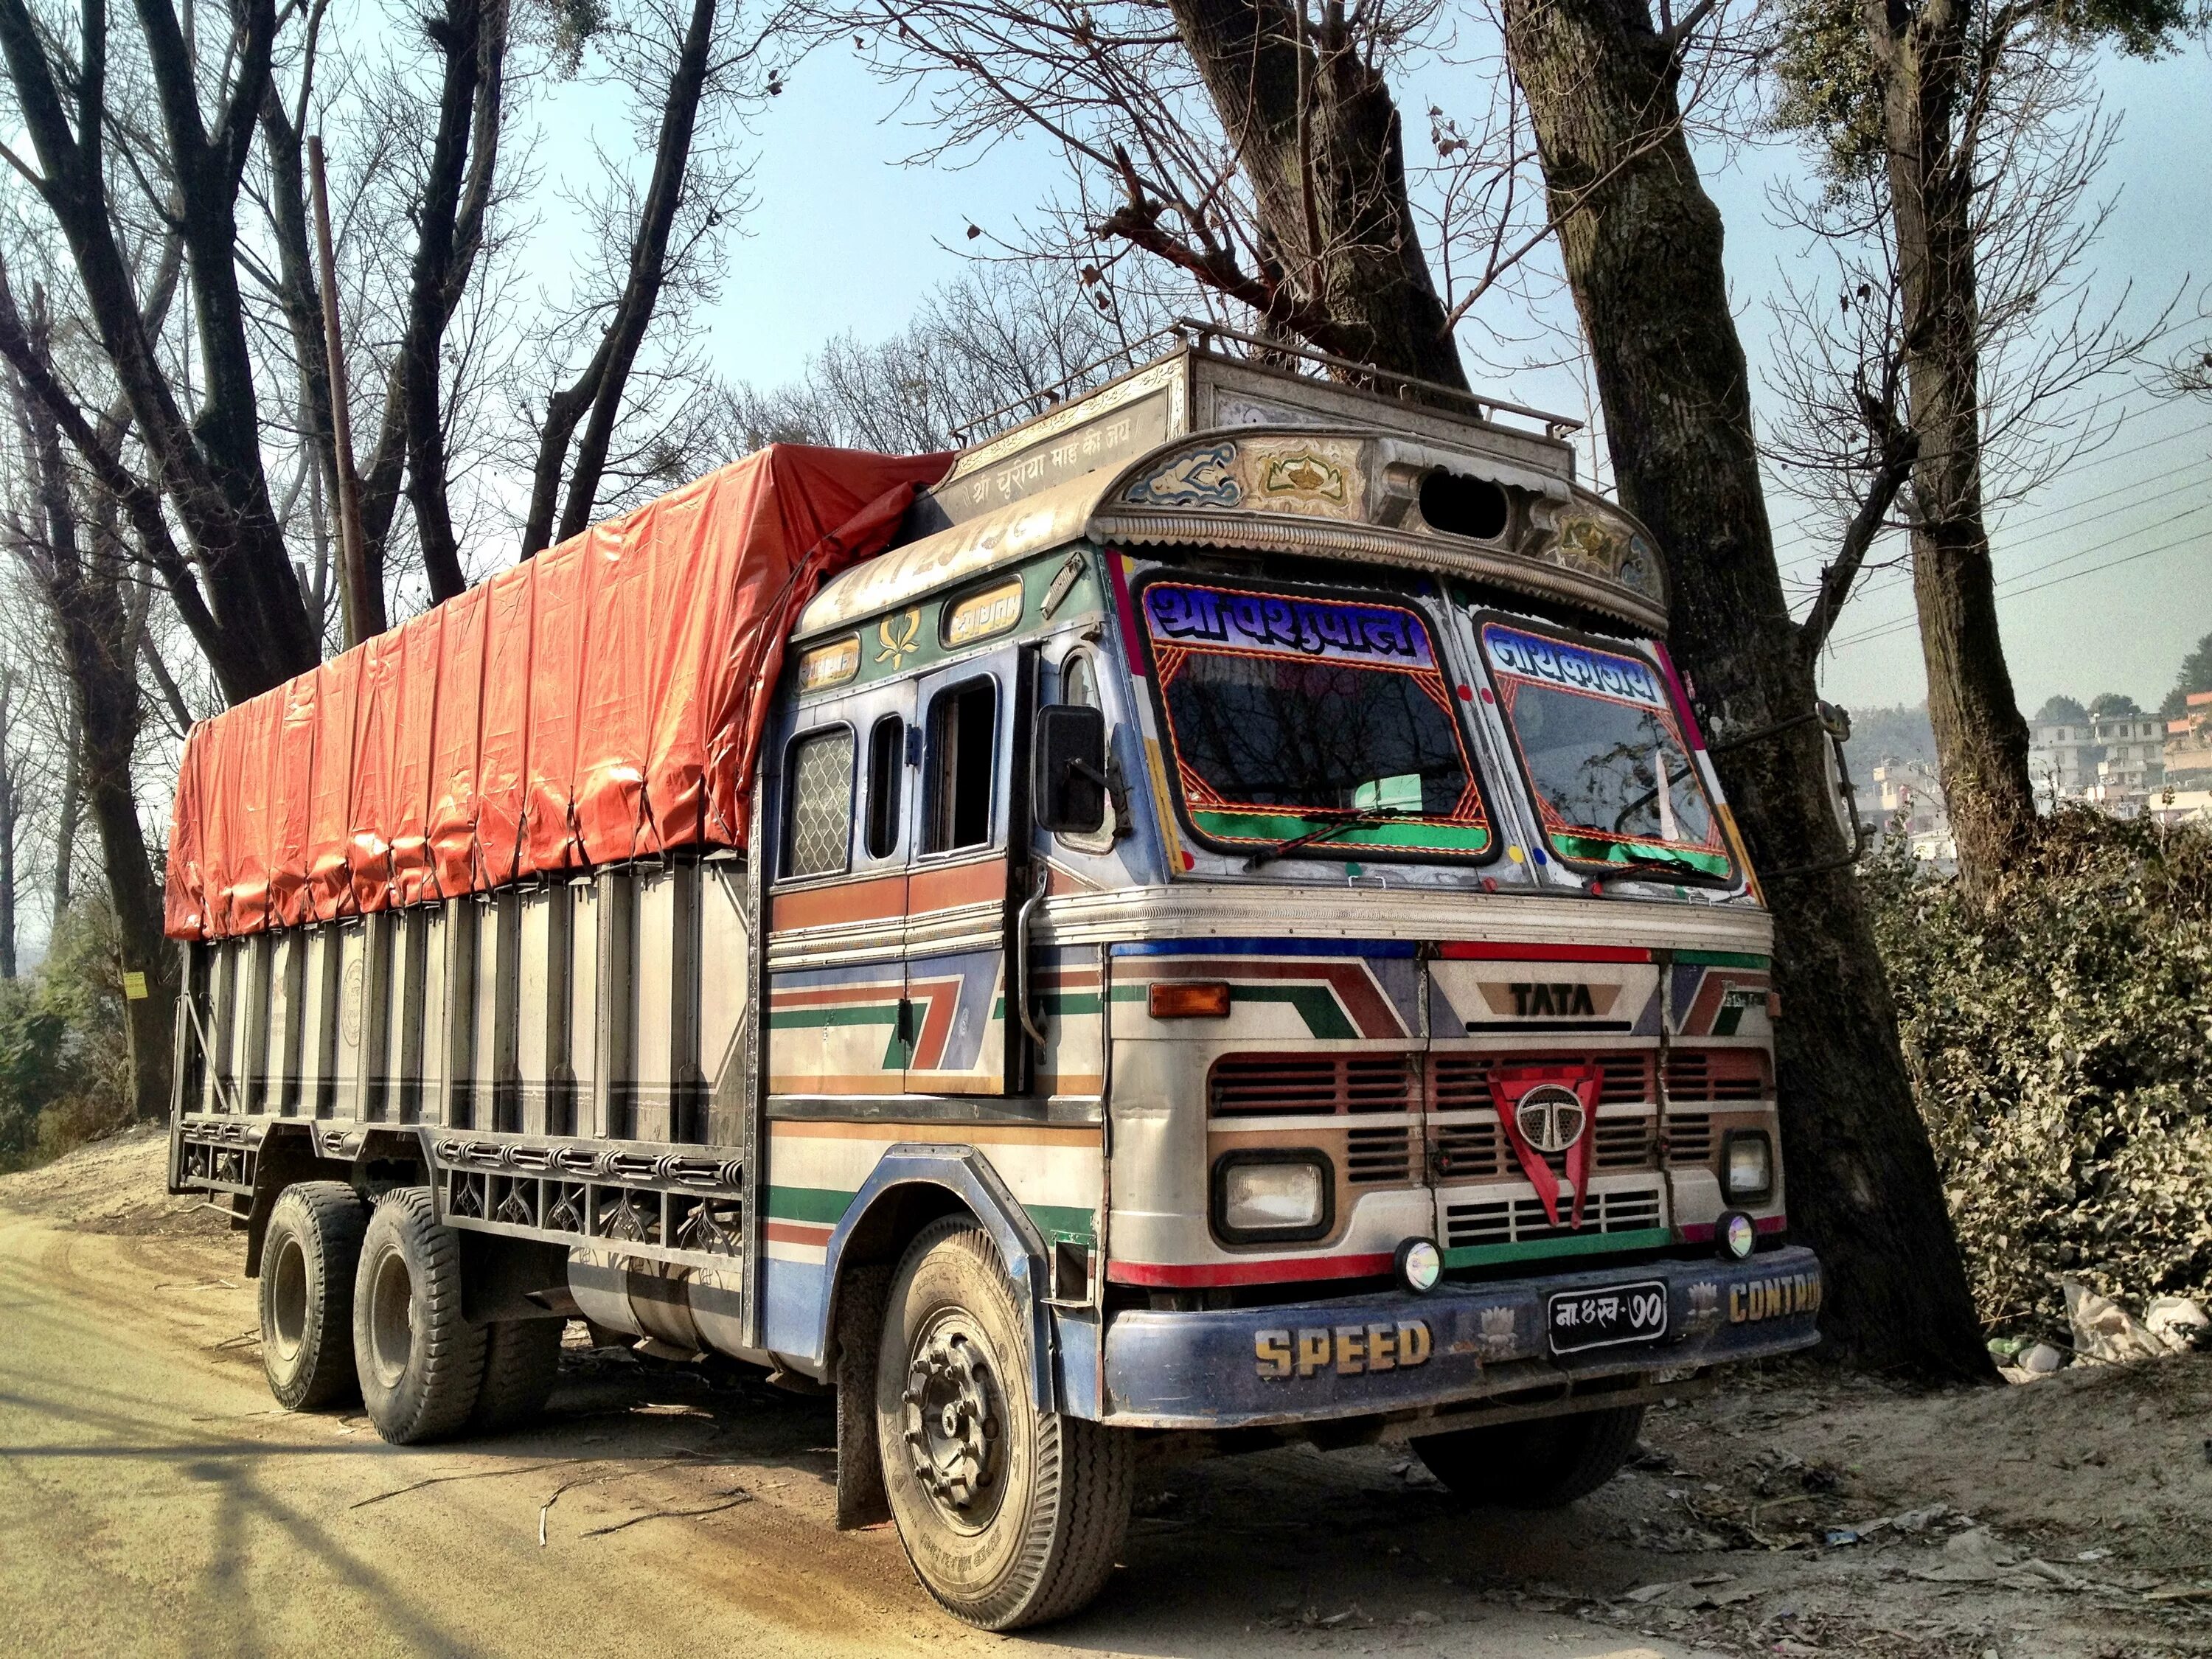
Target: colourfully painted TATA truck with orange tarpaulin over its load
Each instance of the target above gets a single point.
(1198, 924)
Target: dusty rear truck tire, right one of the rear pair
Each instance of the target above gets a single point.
(421, 1364)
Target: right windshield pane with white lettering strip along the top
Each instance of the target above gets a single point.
(1605, 758)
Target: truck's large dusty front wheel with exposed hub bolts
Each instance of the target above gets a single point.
(1005, 1530)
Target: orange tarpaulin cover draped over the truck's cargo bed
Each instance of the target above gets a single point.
(594, 705)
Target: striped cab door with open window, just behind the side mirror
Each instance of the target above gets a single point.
(970, 833)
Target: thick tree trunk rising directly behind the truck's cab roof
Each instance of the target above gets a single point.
(1319, 140)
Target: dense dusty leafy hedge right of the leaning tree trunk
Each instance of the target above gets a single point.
(2060, 1045)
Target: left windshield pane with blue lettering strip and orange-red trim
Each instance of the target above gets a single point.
(1291, 716)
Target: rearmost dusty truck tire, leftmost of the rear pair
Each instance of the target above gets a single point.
(309, 1260)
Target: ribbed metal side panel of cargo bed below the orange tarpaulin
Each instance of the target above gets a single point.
(567, 1061)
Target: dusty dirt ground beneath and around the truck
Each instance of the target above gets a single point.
(154, 1501)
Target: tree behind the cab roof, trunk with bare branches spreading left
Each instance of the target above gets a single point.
(1253, 147)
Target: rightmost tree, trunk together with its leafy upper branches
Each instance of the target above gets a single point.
(1945, 107)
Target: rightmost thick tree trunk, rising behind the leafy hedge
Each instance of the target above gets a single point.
(1981, 738)
